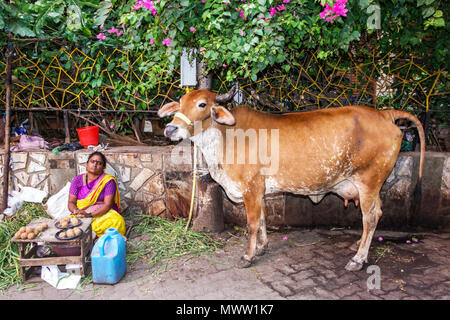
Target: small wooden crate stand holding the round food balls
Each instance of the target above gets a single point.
(27, 256)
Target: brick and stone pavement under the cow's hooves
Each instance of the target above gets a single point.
(300, 264)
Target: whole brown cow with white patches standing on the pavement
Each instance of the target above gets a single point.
(349, 151)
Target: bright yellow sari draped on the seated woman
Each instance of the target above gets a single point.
(112, 218)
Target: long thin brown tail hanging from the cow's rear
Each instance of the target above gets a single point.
(397, 114)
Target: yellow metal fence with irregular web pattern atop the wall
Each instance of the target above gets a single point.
(388, 81)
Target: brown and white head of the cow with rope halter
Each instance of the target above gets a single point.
(197, 105)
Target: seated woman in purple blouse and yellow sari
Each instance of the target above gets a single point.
(95, 194)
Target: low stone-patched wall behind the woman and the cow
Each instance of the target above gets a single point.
(150, 181)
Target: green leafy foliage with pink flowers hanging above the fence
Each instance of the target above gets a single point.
(237, 39)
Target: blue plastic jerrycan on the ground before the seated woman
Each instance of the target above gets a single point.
(109, 258)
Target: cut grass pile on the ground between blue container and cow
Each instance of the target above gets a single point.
(158, 241)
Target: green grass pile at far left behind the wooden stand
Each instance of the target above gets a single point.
(9, 251)
